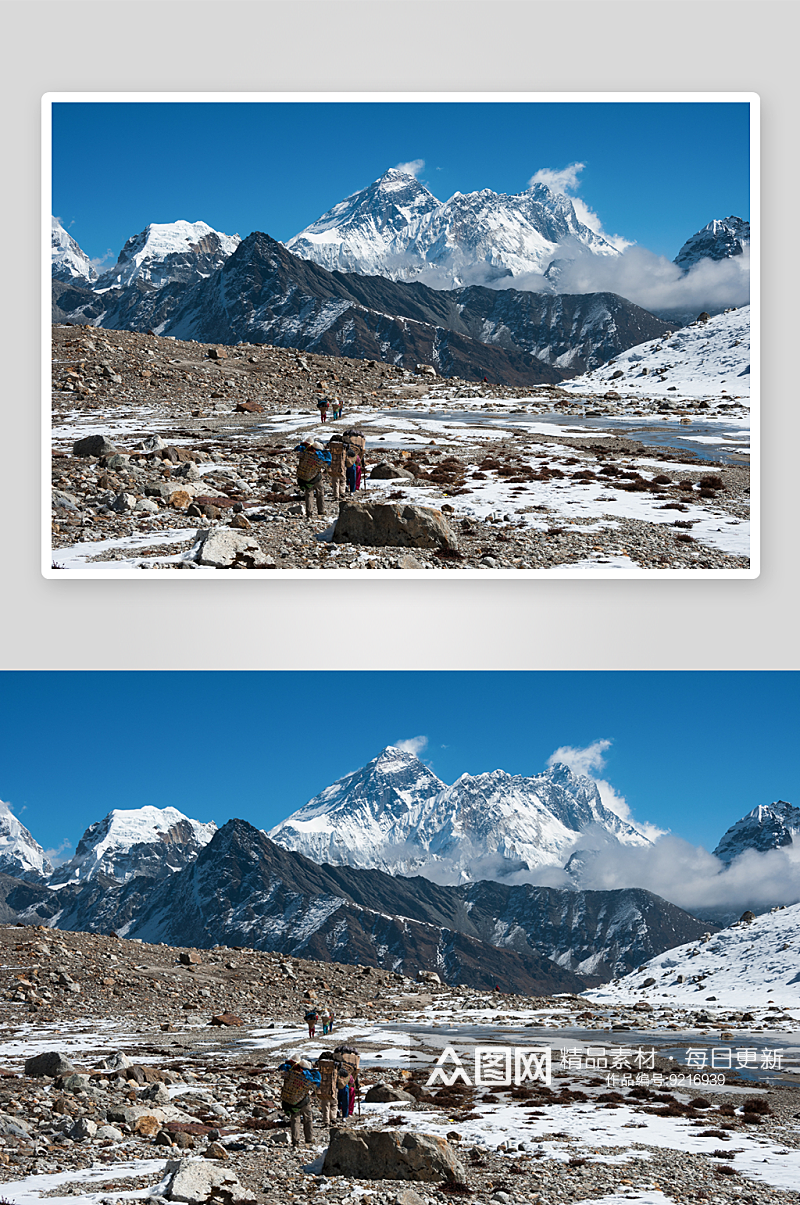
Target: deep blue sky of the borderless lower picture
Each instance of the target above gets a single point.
(690, 751)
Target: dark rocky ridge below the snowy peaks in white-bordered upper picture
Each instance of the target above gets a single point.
(264, 293)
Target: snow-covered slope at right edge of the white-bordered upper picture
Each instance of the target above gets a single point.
(708, 360)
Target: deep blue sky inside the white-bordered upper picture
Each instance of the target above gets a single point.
(652, 173)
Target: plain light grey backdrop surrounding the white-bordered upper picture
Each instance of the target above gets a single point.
(396, 46)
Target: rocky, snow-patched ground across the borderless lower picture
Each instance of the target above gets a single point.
(148, 1072)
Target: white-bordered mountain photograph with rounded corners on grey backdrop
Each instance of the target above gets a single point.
(492, 334)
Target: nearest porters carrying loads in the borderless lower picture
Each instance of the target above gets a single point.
(333, 1077)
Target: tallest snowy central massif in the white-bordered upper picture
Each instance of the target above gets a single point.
(398, 230)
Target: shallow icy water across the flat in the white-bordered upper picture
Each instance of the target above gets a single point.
(722, 442)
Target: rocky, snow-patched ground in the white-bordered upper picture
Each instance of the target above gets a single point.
(193, 439)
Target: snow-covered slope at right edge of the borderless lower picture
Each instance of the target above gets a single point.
(751, 963)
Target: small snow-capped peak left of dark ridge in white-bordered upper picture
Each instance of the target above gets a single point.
(170, 252)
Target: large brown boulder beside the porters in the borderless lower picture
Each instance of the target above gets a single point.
(391, 1155)
